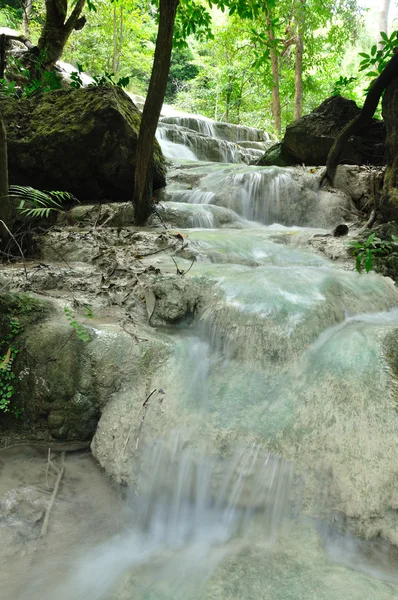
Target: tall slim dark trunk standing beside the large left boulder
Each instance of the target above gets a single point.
(142, 197)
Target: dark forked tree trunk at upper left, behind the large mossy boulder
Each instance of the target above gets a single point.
(57, 29)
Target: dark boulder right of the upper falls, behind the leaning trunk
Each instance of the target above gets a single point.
(309, 139)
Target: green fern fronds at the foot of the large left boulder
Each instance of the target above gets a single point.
(37, 203)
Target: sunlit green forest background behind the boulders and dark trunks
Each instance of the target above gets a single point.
(263, 72)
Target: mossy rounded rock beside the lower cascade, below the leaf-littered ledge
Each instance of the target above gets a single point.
(61, 383)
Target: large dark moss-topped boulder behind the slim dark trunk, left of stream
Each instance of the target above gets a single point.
(81, 141)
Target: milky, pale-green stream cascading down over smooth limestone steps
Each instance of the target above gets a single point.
(275, 401)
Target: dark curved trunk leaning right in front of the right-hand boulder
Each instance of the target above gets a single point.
(378, 86)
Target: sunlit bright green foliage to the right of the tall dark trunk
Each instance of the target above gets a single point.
(234, 80)
